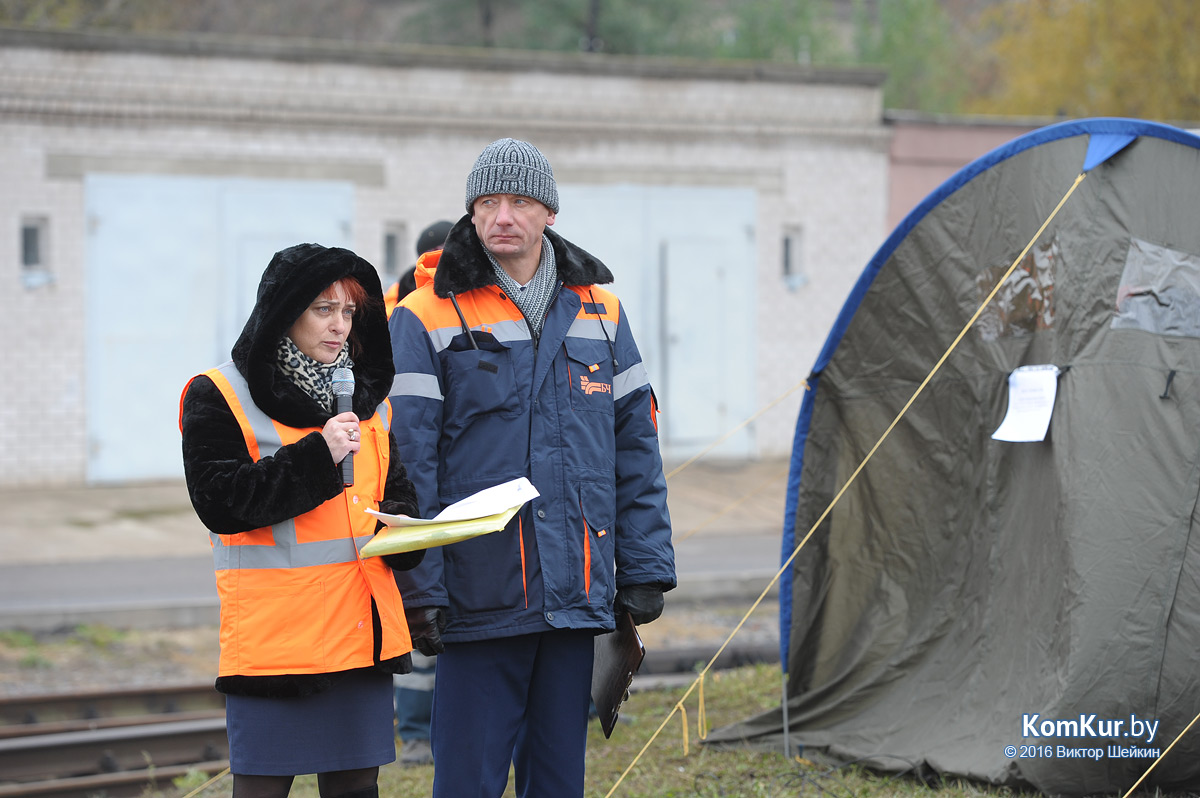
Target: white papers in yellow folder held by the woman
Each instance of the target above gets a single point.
(483, 513)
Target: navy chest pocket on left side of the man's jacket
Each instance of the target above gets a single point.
(481, 381)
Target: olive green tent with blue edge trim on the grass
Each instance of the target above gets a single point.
(994, 609)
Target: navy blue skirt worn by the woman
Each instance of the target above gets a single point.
(346, 728)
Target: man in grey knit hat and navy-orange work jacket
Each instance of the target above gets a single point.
(512, 362)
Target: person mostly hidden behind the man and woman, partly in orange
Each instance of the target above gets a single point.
(415, 692)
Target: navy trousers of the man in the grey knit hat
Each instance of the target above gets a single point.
(513, 700)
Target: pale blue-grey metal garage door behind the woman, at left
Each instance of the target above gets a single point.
(173, 265)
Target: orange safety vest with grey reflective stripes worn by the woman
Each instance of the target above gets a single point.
(296, 597)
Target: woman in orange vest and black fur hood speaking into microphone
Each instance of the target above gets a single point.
(311, 633)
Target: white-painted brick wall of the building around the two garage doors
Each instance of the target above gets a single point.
(818, 154)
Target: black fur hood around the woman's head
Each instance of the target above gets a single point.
(295, 278)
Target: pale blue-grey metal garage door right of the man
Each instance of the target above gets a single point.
(686, 265)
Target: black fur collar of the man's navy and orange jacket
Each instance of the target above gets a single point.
(465, 266)
